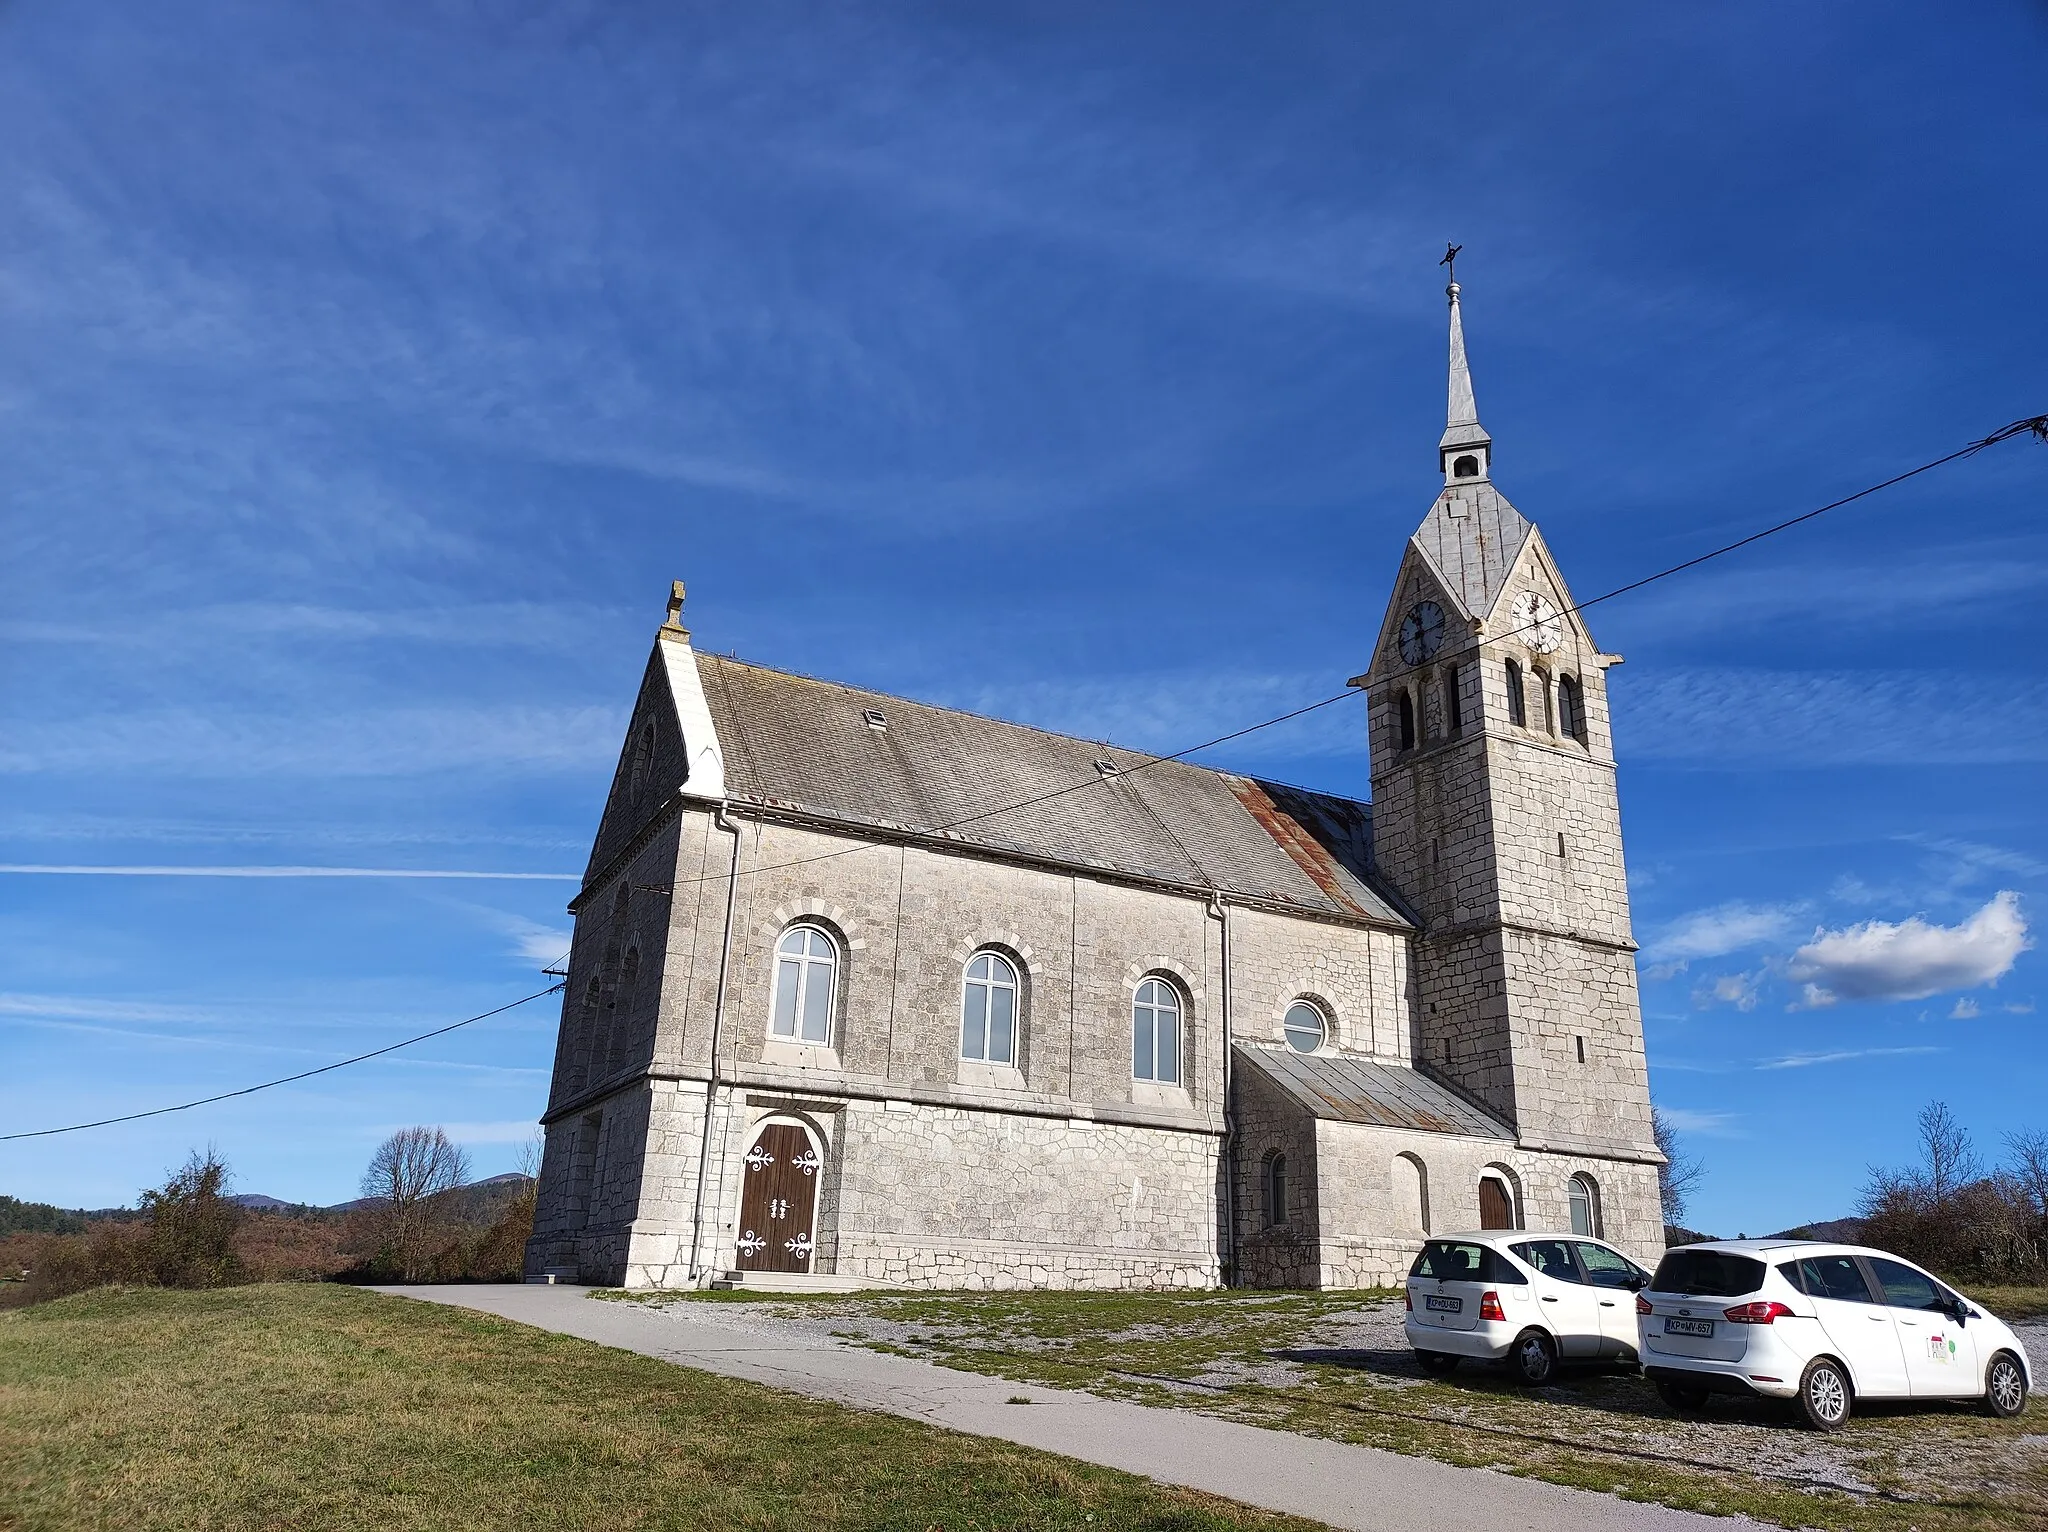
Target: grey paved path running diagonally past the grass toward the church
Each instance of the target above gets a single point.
(1330, 1482)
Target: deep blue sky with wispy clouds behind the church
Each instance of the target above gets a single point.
(368, 374)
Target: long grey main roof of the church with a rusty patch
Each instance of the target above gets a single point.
(806, 744)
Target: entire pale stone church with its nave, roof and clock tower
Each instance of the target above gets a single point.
(871, 992)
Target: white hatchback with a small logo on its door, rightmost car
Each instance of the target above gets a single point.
(1820, 1324)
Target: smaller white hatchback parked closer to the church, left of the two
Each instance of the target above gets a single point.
(1521, 1297)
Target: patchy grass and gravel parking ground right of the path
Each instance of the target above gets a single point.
(1338, 1365)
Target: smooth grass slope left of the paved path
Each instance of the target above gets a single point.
(329, 1408)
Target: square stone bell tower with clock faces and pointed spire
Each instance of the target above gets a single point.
(1496, 814)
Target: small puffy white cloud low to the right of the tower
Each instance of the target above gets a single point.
(1912, 960)
